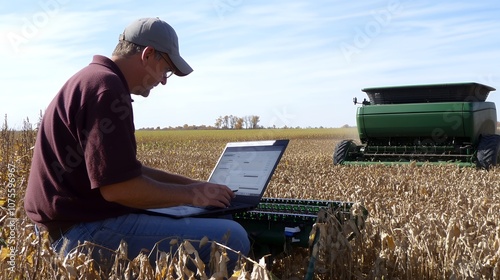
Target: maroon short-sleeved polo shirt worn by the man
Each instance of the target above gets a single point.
(86, 140)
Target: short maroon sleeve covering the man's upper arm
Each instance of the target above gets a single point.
(107, 137)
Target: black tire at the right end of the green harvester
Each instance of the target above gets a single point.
(488, 151)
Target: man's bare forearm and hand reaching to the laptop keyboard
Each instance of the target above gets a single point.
(144, 192)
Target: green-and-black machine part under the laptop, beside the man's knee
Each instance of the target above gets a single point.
(278, 225)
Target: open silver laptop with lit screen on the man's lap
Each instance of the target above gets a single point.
(246, 168)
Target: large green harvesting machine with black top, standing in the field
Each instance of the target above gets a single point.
(425, 123)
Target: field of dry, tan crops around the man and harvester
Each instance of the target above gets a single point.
(425, 222)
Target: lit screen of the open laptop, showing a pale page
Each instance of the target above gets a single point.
(247, 166)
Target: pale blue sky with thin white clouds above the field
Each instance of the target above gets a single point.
(293, 63)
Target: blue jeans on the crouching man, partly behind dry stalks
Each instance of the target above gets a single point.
(142, 231)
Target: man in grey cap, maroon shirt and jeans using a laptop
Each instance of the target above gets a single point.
(86, 183)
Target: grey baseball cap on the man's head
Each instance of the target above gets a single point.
(160, 35)
